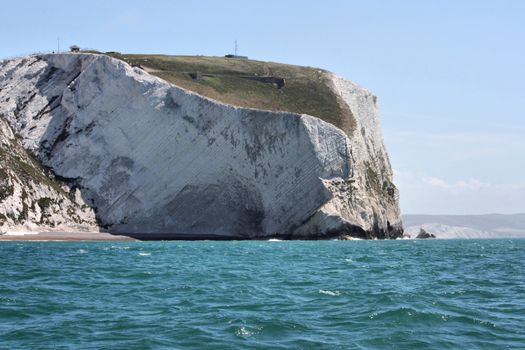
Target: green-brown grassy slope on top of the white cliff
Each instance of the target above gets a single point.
(306, 89)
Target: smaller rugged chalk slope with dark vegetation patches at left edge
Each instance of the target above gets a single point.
(31, 199)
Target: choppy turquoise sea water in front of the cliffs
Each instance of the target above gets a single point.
(434, 294)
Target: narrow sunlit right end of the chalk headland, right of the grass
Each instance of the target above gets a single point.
(375, 203)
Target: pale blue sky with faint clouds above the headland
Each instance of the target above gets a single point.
(449, 75)
